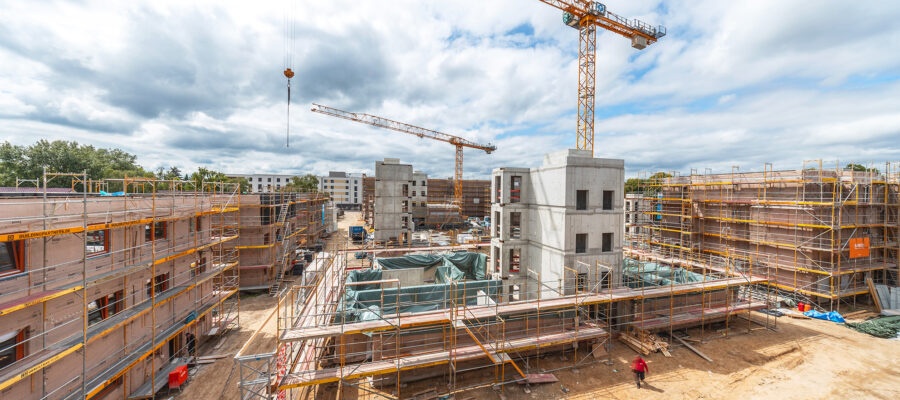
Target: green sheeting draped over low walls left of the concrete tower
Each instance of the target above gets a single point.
(459, 274)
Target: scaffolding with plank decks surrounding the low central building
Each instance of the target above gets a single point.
(320, 352)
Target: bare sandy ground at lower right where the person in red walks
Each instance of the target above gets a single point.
(803, 359)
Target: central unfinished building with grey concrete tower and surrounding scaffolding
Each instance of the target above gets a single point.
(450, 319)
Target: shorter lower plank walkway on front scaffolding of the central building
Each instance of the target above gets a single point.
(362, 370)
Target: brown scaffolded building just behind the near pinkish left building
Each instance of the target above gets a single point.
(273, 226)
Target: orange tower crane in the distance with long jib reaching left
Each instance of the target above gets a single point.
(381, 122)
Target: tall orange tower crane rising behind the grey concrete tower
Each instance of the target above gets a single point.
(586, 16)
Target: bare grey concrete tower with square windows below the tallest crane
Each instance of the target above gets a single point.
(557, 220)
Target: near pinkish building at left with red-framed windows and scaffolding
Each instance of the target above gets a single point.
(101, 296)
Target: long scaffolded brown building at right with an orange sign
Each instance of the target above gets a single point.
(816, 232)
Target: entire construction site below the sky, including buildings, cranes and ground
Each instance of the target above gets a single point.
(563, 276)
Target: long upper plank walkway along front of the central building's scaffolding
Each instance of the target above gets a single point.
(442, 317)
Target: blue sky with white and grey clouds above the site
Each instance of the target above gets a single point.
(199, 83)
